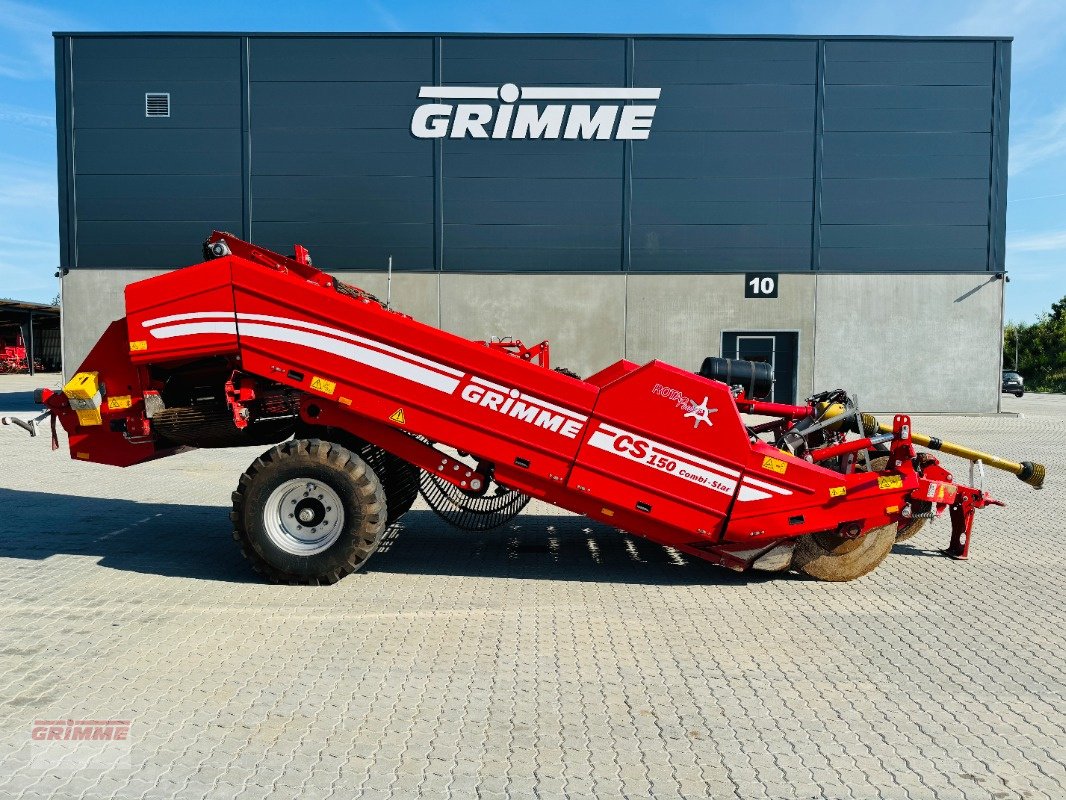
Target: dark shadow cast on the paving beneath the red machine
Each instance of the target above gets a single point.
(193, 541)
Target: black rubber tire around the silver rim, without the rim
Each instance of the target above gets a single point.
(346, 474)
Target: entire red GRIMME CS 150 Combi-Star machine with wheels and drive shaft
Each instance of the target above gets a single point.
(254, 348)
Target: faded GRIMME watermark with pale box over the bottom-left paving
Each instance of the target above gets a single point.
(79, 745)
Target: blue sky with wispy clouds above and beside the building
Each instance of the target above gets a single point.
(1037, 211)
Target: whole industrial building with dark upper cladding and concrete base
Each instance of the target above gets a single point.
(834, 205)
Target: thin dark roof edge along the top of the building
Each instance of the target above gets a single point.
(530, 35)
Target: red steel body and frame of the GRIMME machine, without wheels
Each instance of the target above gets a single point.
(654, 450)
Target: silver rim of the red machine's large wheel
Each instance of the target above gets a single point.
(303, 517)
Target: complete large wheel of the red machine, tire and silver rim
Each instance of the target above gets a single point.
(309, 513)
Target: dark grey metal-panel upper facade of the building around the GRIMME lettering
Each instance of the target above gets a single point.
(823, 155)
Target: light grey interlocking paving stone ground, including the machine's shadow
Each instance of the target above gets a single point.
(555, 659)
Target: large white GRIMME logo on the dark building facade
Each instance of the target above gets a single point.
(553, 113)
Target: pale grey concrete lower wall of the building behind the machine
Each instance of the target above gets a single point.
(900, 343)
